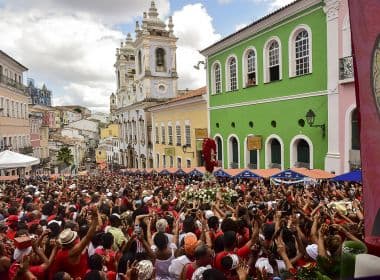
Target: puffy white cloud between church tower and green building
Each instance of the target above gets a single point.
(193, 35)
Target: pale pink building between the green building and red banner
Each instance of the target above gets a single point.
(343, 129)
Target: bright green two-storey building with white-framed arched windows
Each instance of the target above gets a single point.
(262, 82)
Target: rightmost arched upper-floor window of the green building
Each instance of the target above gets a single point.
(302, 53)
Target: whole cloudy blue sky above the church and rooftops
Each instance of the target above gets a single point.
(70, 45)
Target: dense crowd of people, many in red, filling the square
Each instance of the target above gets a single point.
(113, 226)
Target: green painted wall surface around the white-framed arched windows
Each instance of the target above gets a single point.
(286, 112)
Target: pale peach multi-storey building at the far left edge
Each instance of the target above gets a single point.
(14, 114)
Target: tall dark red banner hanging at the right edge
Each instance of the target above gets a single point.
(365, 34)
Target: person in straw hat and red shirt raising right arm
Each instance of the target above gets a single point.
(72, 258)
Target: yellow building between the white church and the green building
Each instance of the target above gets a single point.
(178, 129)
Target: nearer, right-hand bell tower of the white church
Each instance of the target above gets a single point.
(155, 51)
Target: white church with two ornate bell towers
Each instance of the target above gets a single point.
(146, 75)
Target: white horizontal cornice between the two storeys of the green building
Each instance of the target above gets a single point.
(270, 100)
